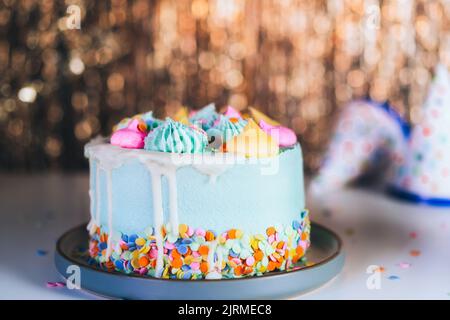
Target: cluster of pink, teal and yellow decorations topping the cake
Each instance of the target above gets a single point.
(205, 130)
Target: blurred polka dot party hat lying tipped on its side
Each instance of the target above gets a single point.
(368, 138)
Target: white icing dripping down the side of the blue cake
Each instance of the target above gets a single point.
(158, 164)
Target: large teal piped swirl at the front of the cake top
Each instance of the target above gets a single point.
(175, 137)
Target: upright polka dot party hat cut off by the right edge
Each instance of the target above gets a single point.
(424, 175)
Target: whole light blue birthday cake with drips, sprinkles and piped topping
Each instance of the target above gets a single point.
(205, 195)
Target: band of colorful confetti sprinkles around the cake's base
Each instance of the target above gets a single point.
(186, 252)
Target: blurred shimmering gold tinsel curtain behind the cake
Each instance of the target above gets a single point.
(297, 60)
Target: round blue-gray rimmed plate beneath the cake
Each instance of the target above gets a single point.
(325, 252)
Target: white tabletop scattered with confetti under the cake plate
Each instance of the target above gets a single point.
(376, 230)
